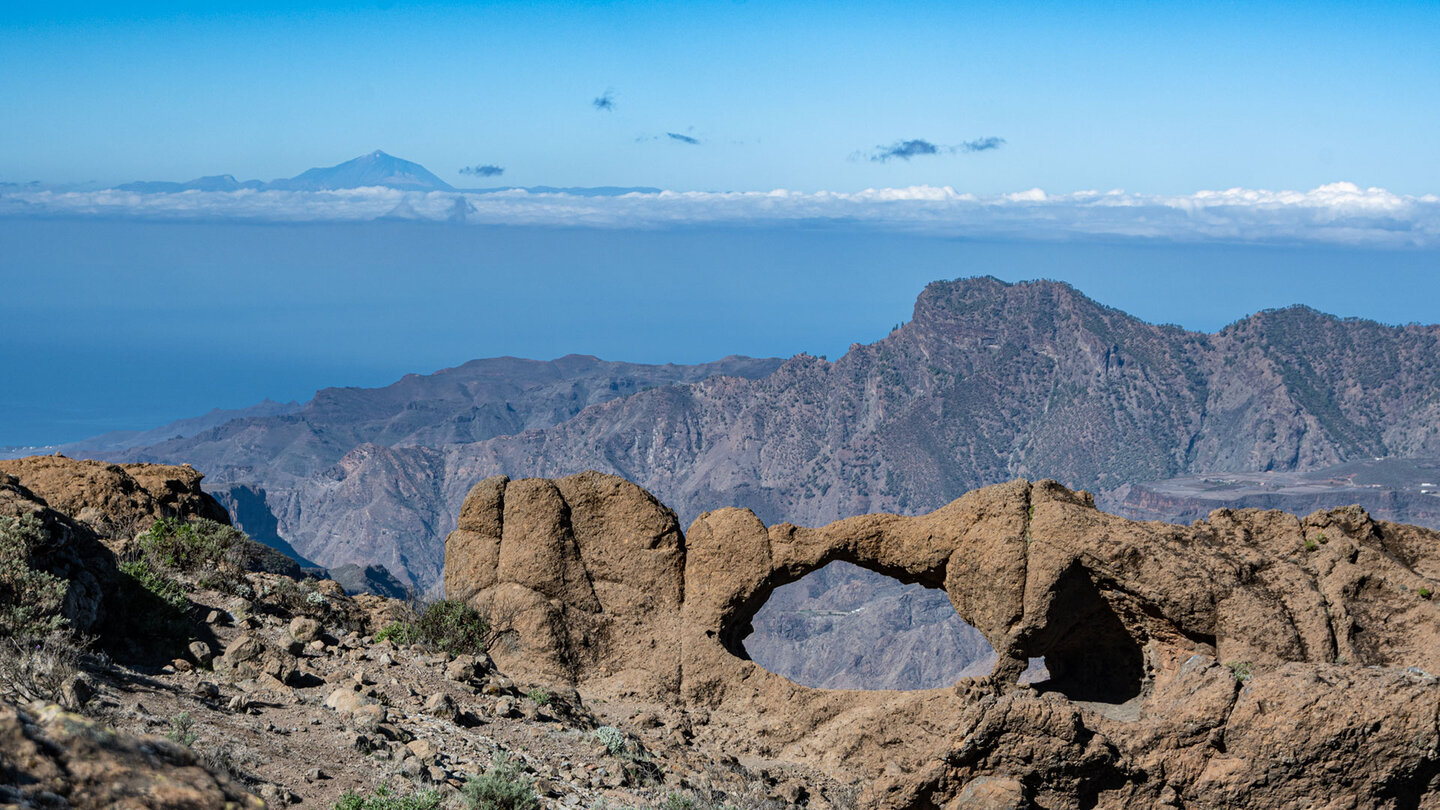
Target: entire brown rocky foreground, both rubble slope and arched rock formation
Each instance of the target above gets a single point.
(1254, 659)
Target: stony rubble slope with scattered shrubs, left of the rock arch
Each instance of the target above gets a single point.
(277, 690)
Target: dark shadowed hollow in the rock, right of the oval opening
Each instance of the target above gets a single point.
(1088, 652)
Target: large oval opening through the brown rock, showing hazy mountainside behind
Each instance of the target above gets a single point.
(849, 628)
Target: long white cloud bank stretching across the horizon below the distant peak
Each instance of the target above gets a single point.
(1334, 214)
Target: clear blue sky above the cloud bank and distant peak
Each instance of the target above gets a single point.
(1146, 97)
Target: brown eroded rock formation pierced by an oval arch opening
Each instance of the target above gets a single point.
(1254, 659)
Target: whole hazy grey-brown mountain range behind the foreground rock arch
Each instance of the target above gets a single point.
(987, 383)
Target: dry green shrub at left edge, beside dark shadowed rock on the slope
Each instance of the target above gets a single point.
(31, 600)
